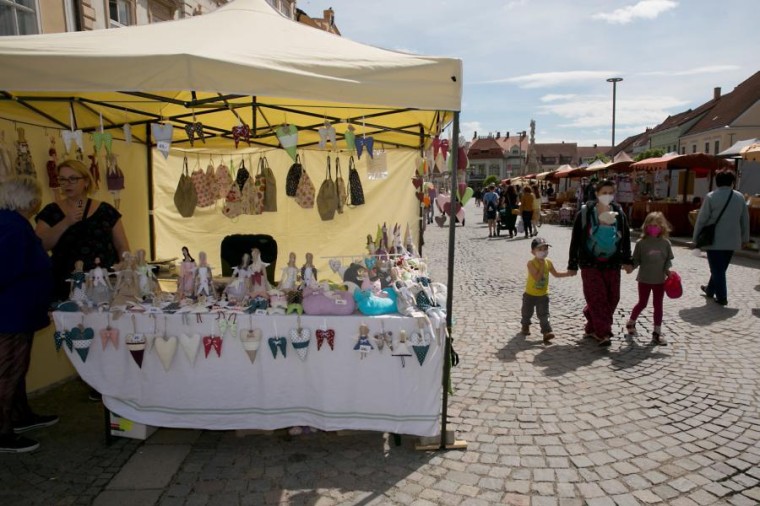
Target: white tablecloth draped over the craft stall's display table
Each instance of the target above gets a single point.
(330, 389)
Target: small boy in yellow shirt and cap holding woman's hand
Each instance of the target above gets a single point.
(536, 296)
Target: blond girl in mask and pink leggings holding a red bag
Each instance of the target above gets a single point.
(653, 256)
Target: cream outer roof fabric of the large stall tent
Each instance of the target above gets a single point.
(244, 47)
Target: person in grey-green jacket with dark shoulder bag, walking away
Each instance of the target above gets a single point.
(726, 209)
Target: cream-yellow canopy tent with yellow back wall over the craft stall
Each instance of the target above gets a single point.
(241, 64)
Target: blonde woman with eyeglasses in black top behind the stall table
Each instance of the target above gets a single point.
(79, 228)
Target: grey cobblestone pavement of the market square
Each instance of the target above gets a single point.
(564, 424)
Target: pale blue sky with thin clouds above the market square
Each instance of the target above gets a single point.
(549, 60)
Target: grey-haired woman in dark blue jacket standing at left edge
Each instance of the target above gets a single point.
(25, 293)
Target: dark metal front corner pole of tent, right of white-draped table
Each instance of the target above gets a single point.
(450, 280)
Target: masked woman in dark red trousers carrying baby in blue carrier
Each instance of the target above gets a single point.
(600, 246)
